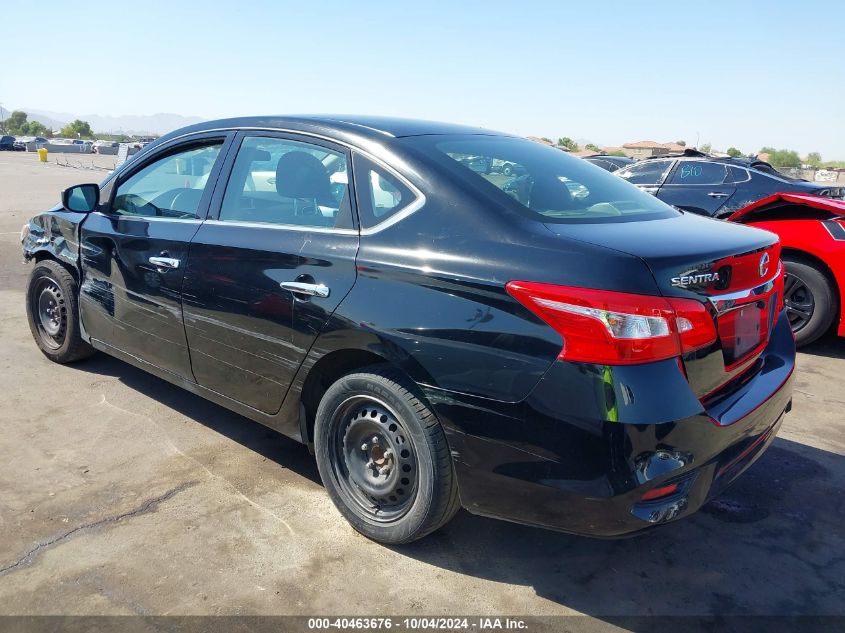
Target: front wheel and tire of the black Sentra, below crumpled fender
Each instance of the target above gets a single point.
(52, 310)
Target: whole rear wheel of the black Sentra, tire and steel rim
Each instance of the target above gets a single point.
(362, 417)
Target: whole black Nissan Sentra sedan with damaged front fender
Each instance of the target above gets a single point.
(599, 364)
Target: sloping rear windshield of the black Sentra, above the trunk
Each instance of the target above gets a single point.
(541, 182)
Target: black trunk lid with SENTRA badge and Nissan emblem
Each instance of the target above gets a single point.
(733, 269)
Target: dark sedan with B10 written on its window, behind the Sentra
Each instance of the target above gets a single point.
(715, 186)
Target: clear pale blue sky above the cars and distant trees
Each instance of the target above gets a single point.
(746, 74)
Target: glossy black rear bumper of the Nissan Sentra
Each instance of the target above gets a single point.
(579, 453)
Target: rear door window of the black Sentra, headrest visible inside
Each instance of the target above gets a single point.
(287, 182)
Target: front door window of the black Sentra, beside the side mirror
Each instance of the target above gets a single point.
(170, 187)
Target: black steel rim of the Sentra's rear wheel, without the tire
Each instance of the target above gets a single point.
(374, 459)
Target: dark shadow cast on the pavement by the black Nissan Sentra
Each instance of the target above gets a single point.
(772, 544)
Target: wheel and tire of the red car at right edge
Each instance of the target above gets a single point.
(809, 300)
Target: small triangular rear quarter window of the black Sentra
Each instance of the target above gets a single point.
(381, 194)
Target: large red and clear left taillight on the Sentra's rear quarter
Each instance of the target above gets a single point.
(617, 328)
